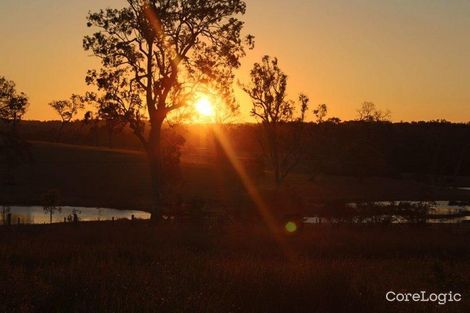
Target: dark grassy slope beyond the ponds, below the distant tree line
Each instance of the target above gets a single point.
(89, 176)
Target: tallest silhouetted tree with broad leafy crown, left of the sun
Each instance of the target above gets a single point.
(155, 53)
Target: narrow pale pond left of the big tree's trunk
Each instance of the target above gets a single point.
(36, 214)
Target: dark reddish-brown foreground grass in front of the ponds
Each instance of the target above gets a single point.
(126, 267)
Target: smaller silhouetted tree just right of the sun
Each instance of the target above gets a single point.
(271, 106)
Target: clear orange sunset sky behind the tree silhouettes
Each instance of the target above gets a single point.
(409, 56)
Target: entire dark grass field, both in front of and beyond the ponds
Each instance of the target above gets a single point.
(236, 267)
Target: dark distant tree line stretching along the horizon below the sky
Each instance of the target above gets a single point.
(423, 150)
